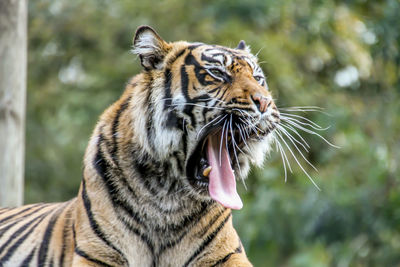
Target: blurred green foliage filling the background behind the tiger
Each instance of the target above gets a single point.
(340, 55)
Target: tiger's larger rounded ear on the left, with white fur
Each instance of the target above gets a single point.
(150, 47)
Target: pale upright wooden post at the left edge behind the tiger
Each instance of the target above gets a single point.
(13, 60)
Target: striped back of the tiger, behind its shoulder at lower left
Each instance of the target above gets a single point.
(32, 235)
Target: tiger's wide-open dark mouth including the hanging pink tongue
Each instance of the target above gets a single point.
(211, 166)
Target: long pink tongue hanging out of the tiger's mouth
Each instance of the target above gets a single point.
(222, 186)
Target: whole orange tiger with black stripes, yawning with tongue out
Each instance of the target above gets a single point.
(160, 169)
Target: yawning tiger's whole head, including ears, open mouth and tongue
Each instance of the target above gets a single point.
(212, 112)
